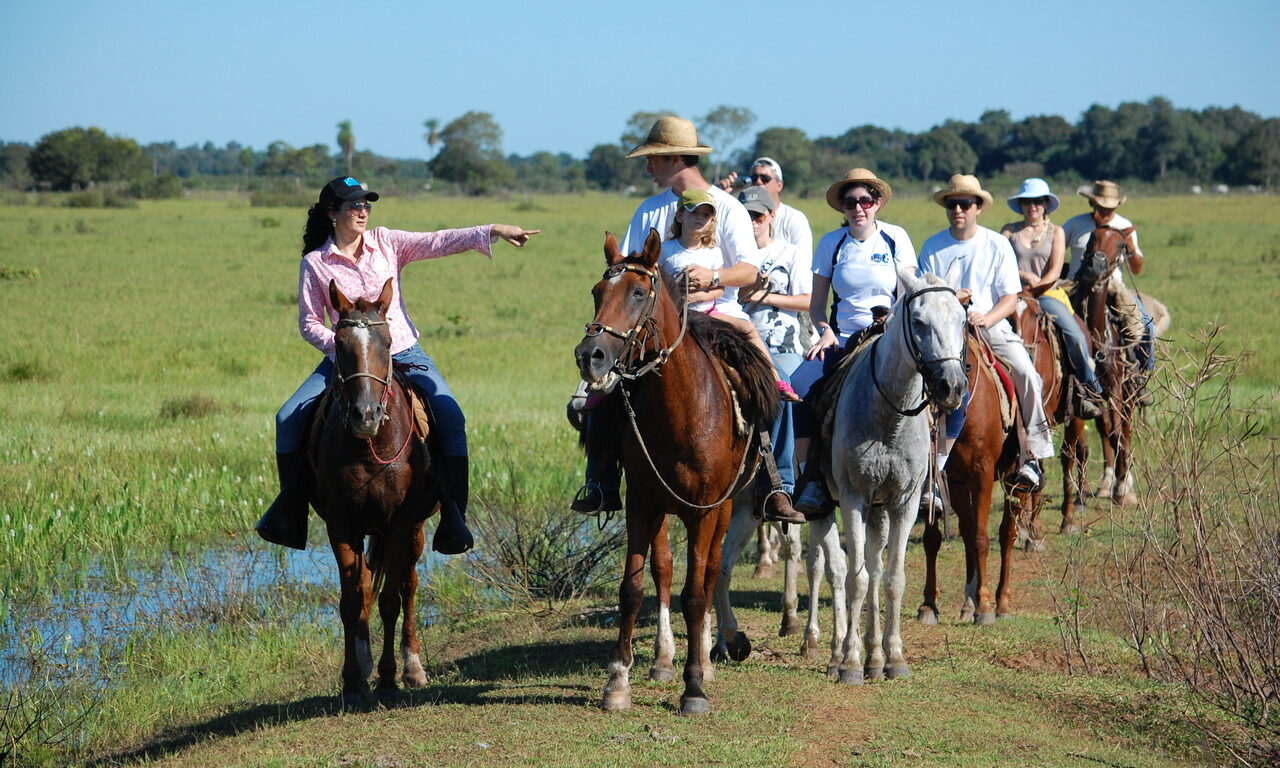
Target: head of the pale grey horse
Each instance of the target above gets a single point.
(934, 327)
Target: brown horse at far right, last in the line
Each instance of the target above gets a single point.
(1117, 365)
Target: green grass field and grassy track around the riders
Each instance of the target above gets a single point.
(148, 350)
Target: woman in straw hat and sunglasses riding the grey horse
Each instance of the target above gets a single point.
(856, 276)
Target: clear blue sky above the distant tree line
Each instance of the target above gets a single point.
(566, 76)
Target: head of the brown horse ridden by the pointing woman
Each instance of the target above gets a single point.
(363, 358)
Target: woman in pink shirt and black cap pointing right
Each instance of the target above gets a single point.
(339, 246)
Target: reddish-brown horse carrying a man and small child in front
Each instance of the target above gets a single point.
(687, 444)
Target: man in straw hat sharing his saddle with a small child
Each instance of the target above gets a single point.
(671, 154)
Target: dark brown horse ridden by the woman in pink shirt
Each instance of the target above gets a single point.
(372, 483)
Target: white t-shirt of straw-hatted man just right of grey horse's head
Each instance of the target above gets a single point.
(989, 267)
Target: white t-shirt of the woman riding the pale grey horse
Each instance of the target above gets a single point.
(863, 273)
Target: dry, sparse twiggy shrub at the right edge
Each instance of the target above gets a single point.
(1195, 574)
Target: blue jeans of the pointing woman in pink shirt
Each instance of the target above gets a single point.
(449, 422)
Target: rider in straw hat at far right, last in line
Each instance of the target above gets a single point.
(1105, 199)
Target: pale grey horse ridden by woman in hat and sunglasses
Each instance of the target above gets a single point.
(880, 458)
